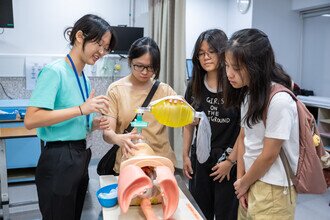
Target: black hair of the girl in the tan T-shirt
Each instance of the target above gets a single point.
(142, 46)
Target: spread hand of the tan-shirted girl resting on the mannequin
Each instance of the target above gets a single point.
(126, 144)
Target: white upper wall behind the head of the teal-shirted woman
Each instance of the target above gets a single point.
(39, 24)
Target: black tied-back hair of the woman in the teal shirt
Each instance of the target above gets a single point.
(93, 28)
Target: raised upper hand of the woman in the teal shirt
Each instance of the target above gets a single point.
(99, 104)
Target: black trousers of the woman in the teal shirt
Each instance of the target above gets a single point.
(62, 179)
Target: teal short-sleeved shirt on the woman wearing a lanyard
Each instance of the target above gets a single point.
(57, 88)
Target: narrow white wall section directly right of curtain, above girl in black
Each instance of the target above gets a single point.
(203, 15)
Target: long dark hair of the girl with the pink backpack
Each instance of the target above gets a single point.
(253, 52)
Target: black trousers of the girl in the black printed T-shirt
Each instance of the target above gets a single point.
(214, 199)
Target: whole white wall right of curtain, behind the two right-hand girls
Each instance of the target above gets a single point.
(276, 18)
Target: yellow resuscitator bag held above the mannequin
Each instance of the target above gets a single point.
(172, 111)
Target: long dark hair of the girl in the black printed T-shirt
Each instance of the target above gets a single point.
(217, 41)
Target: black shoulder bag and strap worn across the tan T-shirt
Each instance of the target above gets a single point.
(107, 162)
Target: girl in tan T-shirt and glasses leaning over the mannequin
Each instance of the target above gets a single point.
(128, 93)
